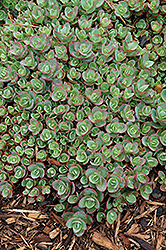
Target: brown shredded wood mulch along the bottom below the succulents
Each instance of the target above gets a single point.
(26, 226)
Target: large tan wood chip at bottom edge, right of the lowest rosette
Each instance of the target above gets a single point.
(100, 240)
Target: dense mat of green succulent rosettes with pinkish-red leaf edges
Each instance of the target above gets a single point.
(83, 104)
